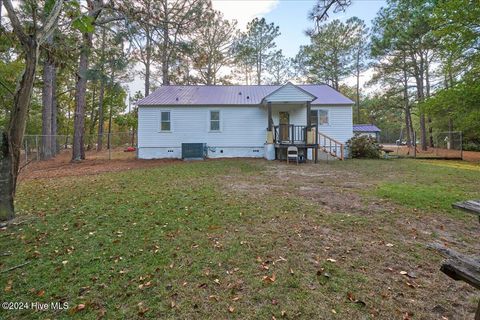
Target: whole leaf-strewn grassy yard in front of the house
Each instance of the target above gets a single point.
(245, 239)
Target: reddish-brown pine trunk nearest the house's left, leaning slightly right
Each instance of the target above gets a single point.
(78, 152)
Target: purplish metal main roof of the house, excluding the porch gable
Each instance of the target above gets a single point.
(234, 95)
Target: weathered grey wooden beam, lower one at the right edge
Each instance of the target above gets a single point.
(459, 266)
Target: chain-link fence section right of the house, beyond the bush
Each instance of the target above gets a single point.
(440, 145)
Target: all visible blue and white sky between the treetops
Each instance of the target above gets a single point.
(292, 18)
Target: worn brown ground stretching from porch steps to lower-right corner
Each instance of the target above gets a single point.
(380, 240)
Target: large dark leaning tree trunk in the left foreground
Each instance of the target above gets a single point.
(11, 142)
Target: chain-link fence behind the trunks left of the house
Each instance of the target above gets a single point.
(120, 145)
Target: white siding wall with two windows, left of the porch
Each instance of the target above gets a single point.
(242, 131)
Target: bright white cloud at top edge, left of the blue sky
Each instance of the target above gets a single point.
(244, 10)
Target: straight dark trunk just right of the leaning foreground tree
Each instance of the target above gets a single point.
(47, 102)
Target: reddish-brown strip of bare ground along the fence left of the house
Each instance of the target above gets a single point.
(61, 166)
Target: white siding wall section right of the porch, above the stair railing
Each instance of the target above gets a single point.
(340, 126)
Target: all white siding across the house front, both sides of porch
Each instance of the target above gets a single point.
(243, 128)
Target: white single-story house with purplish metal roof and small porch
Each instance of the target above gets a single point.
(178, 121)
